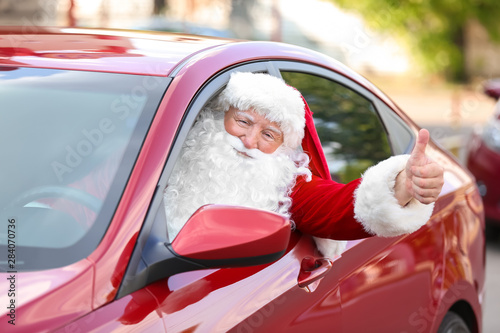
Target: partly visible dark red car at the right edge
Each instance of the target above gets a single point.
(483, 160)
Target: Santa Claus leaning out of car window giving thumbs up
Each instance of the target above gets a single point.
(255, 145)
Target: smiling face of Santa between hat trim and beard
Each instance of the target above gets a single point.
(253, 129)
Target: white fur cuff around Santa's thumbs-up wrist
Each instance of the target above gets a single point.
(376, 208)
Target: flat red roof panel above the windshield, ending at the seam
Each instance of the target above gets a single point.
(118, 51)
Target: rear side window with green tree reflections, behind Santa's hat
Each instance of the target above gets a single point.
(351, 133)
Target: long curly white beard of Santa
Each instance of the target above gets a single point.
(210, 170)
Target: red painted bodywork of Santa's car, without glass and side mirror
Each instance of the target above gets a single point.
(445, 257)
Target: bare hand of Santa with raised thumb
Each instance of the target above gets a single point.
(422, 178)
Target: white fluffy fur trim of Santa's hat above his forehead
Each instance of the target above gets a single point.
(270, 97)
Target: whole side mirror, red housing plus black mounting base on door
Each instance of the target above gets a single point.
(215, 236)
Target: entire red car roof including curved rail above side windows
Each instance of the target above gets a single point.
(148, 52)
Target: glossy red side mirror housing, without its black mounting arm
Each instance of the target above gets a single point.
(228, 236)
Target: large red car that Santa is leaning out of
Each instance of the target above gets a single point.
(91, 125)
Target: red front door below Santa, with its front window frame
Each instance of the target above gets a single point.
(245, 299)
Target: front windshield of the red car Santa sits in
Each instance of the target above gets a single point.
(64, 138)
